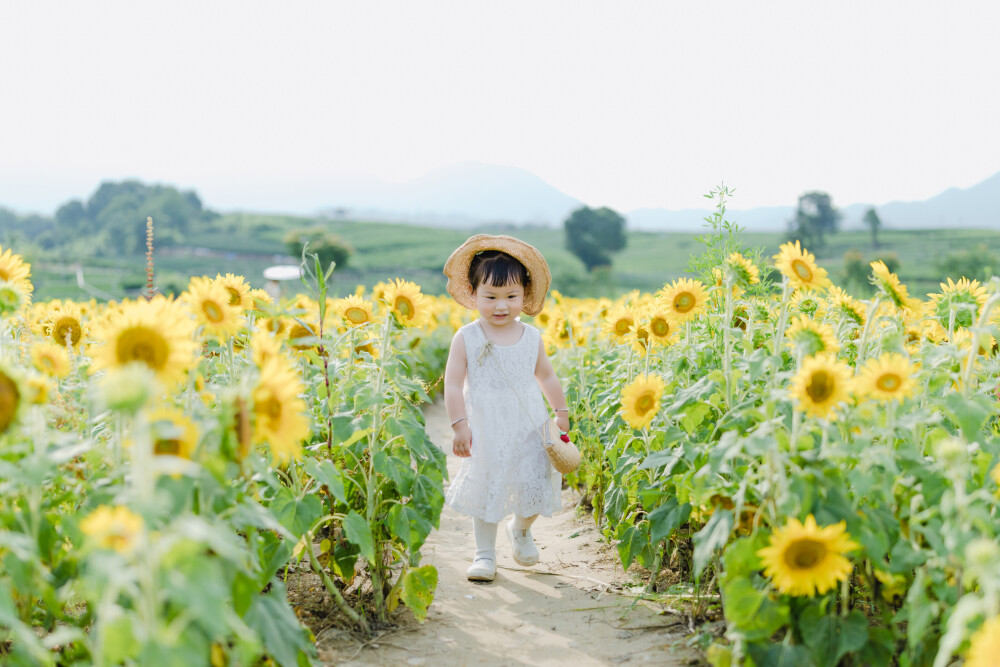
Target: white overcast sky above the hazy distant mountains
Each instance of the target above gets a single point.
(625, 104)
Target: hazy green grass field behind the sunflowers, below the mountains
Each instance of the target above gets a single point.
(245, 244)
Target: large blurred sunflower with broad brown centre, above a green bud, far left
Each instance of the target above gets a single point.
(157, 333)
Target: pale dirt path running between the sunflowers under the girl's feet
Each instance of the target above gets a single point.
(558, 613)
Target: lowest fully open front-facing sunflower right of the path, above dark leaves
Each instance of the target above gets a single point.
(804, 559)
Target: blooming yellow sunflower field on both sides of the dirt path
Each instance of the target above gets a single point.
(821, 469)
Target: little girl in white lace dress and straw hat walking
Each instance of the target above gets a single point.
(496, 375)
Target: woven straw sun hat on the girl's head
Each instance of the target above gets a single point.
(457, 269)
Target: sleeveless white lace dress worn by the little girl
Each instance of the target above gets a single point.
(509, 471)
